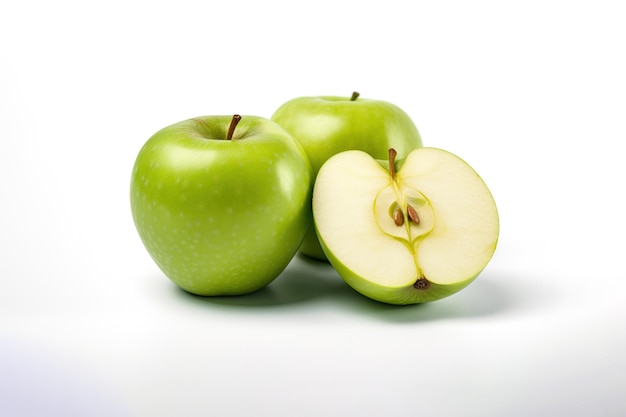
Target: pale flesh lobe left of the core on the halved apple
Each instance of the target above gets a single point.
(344, 204)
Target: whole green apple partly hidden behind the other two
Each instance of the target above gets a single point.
(327, 125)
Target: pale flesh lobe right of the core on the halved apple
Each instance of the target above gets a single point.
(466, 229)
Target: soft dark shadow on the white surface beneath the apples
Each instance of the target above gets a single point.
(306, 280)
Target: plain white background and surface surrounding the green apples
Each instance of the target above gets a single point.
(531, 94)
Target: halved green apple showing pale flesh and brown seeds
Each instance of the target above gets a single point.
(405, 234)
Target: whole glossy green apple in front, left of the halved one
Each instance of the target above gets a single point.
(222, 207)
